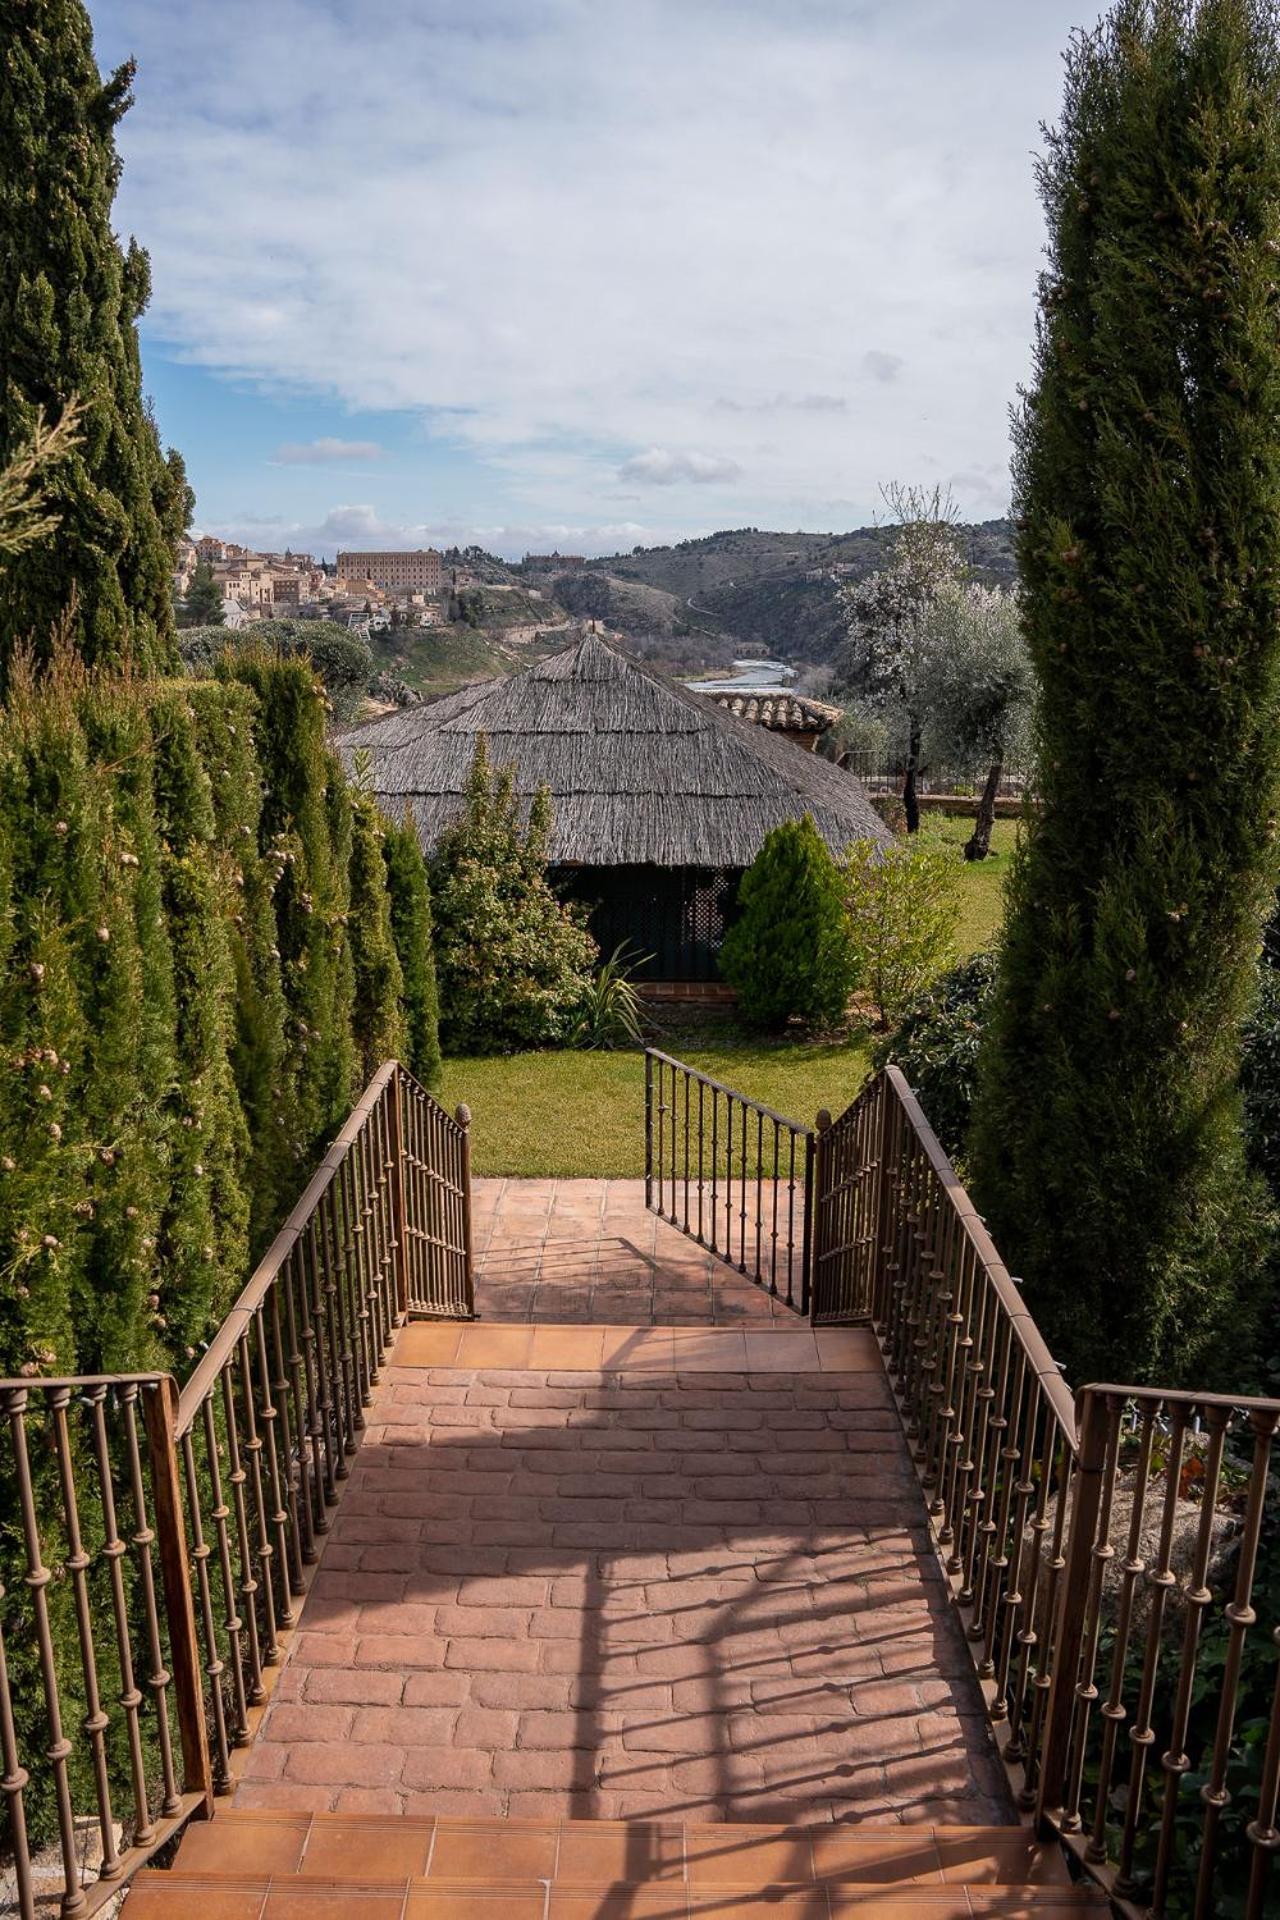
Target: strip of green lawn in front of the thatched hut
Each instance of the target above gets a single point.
(584, 1115)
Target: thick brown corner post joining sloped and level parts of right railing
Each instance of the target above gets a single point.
(1087, 1497)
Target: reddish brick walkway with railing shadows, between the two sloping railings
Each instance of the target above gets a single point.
(617, 1595)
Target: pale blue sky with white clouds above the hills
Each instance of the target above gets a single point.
(582, 274)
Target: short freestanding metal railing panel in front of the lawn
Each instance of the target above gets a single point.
(732, 1174)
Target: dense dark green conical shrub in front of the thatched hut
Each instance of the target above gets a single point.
(788, 951)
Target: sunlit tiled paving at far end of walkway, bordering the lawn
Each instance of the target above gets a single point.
(590, 1253)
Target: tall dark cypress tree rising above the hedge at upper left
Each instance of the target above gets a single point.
(70, 302)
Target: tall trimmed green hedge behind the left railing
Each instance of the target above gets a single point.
(199, 967)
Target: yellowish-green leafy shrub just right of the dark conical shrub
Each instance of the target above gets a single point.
(903, 907)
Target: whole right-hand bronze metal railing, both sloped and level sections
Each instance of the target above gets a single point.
(1089, 1673)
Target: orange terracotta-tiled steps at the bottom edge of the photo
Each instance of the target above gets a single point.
(275, 1865)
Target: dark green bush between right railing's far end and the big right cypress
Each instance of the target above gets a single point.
(939, 1042)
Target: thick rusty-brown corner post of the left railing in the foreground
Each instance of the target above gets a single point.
(176, 1572)
